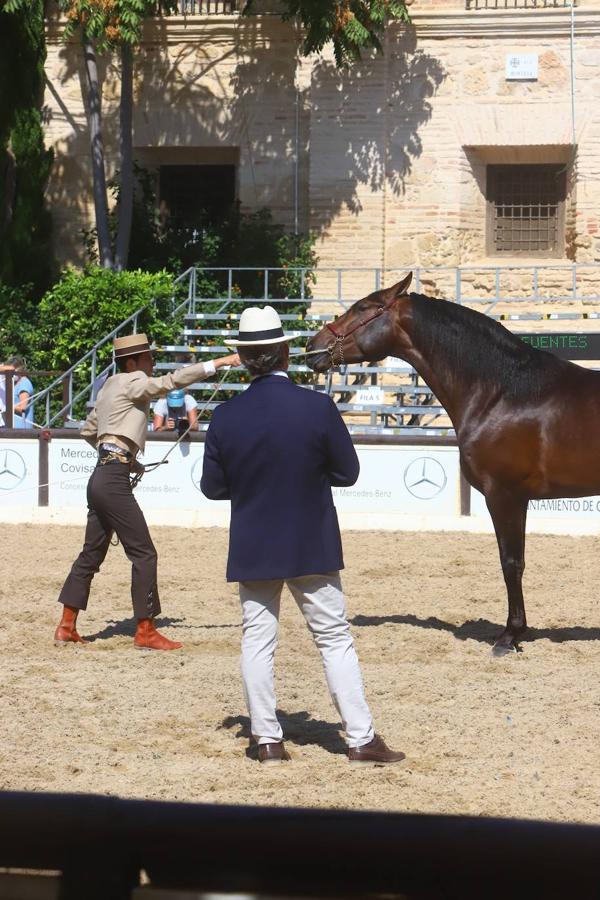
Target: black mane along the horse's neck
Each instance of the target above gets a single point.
(481, 349)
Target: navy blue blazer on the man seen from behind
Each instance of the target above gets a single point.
(275, 451)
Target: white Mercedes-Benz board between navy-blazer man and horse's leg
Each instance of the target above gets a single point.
(403, 481)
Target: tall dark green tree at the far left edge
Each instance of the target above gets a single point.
(25, 164)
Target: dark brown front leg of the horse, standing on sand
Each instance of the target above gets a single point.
(509, 514)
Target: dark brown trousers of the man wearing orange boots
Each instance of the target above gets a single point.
(113, 508)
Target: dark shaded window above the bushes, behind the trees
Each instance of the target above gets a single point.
(192, 195)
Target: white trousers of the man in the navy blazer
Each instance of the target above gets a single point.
(321, 600)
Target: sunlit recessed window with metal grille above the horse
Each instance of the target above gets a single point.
(526, 209)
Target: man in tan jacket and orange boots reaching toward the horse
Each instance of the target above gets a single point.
(117, 427)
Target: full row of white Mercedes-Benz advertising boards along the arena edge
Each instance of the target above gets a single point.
(416, 487)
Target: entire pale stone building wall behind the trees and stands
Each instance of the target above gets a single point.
(385, 162)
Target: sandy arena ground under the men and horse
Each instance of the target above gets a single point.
(510, 737)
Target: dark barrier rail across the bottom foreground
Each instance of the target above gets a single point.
(101, 843)
